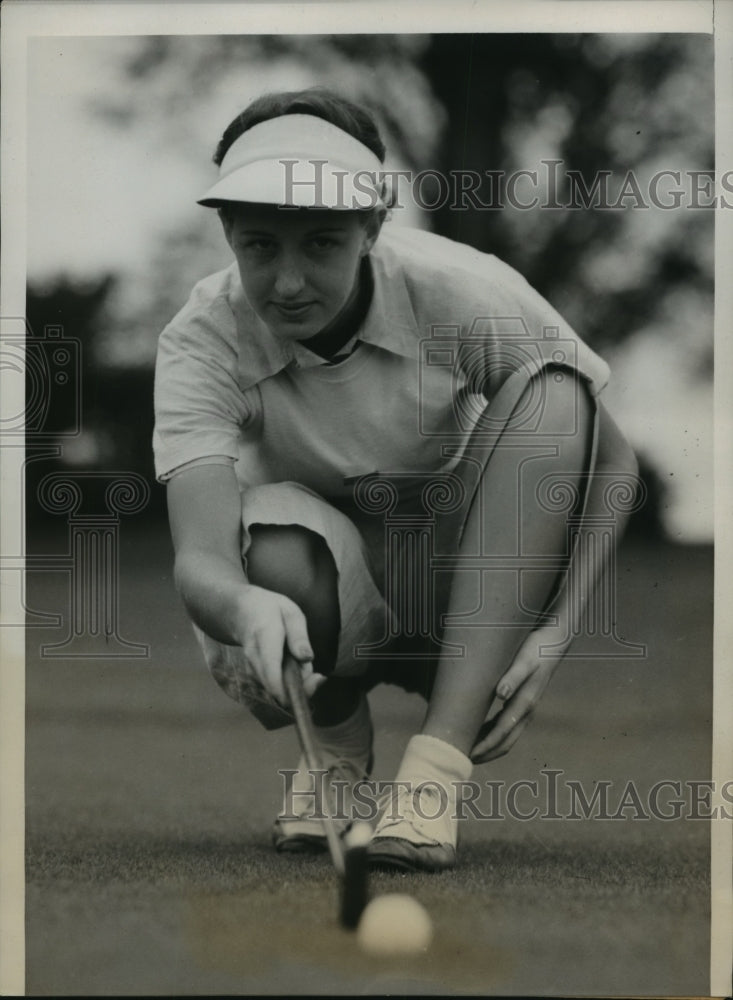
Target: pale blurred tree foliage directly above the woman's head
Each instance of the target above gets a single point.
(183, 83)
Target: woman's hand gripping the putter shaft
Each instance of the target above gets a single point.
(268, 624)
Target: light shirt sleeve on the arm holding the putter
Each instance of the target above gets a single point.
(200, 410)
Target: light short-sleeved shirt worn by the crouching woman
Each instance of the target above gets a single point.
(447, 326)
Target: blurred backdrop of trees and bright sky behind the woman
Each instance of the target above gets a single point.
(121, 132)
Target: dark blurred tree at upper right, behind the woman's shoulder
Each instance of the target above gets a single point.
(620, 104)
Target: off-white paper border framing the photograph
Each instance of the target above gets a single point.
(21, 20)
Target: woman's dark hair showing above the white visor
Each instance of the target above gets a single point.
(317, 101)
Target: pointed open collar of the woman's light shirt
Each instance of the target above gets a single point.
(390, 324)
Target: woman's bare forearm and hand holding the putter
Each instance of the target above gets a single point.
(204, 508)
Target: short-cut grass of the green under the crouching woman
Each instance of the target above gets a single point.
(150, 796)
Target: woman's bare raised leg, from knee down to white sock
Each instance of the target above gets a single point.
(506, 511)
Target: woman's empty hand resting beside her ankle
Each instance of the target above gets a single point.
(520, 689)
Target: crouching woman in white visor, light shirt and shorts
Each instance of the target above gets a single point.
(356, 426)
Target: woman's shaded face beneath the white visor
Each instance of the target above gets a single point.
(298, 266)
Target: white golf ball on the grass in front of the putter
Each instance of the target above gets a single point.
(395, 924)
